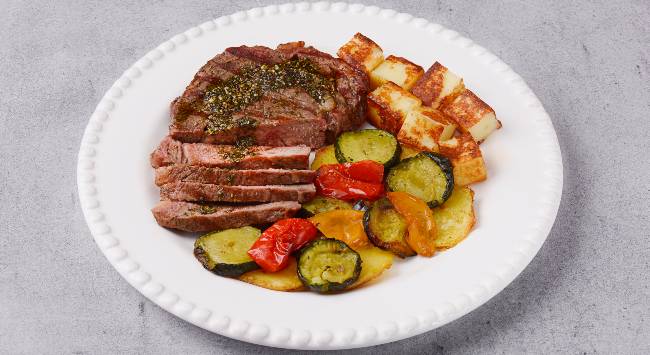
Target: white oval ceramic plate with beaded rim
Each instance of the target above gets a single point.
(516, 207)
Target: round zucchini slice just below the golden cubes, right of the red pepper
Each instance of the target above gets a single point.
(427, 175)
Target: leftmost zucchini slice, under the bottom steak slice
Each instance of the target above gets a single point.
(225, 252)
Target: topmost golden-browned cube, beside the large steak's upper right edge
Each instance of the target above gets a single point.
(362, 53)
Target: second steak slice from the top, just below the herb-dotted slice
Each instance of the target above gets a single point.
(219, 176)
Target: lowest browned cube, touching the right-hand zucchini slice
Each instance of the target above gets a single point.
(466, 159)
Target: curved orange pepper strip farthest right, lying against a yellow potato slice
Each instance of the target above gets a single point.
(421, 224)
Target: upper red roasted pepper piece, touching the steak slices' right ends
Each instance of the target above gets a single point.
(351, 181)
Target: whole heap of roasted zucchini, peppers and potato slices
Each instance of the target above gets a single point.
(371, 204)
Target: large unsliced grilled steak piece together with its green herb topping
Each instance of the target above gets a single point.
(287, 96)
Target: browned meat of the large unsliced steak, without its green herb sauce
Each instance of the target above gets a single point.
(293, 119)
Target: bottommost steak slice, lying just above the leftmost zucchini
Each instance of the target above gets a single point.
(193, 217)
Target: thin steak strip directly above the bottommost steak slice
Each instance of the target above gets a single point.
(194, 191)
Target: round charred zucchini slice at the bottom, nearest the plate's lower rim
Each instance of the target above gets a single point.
(328, 265)
